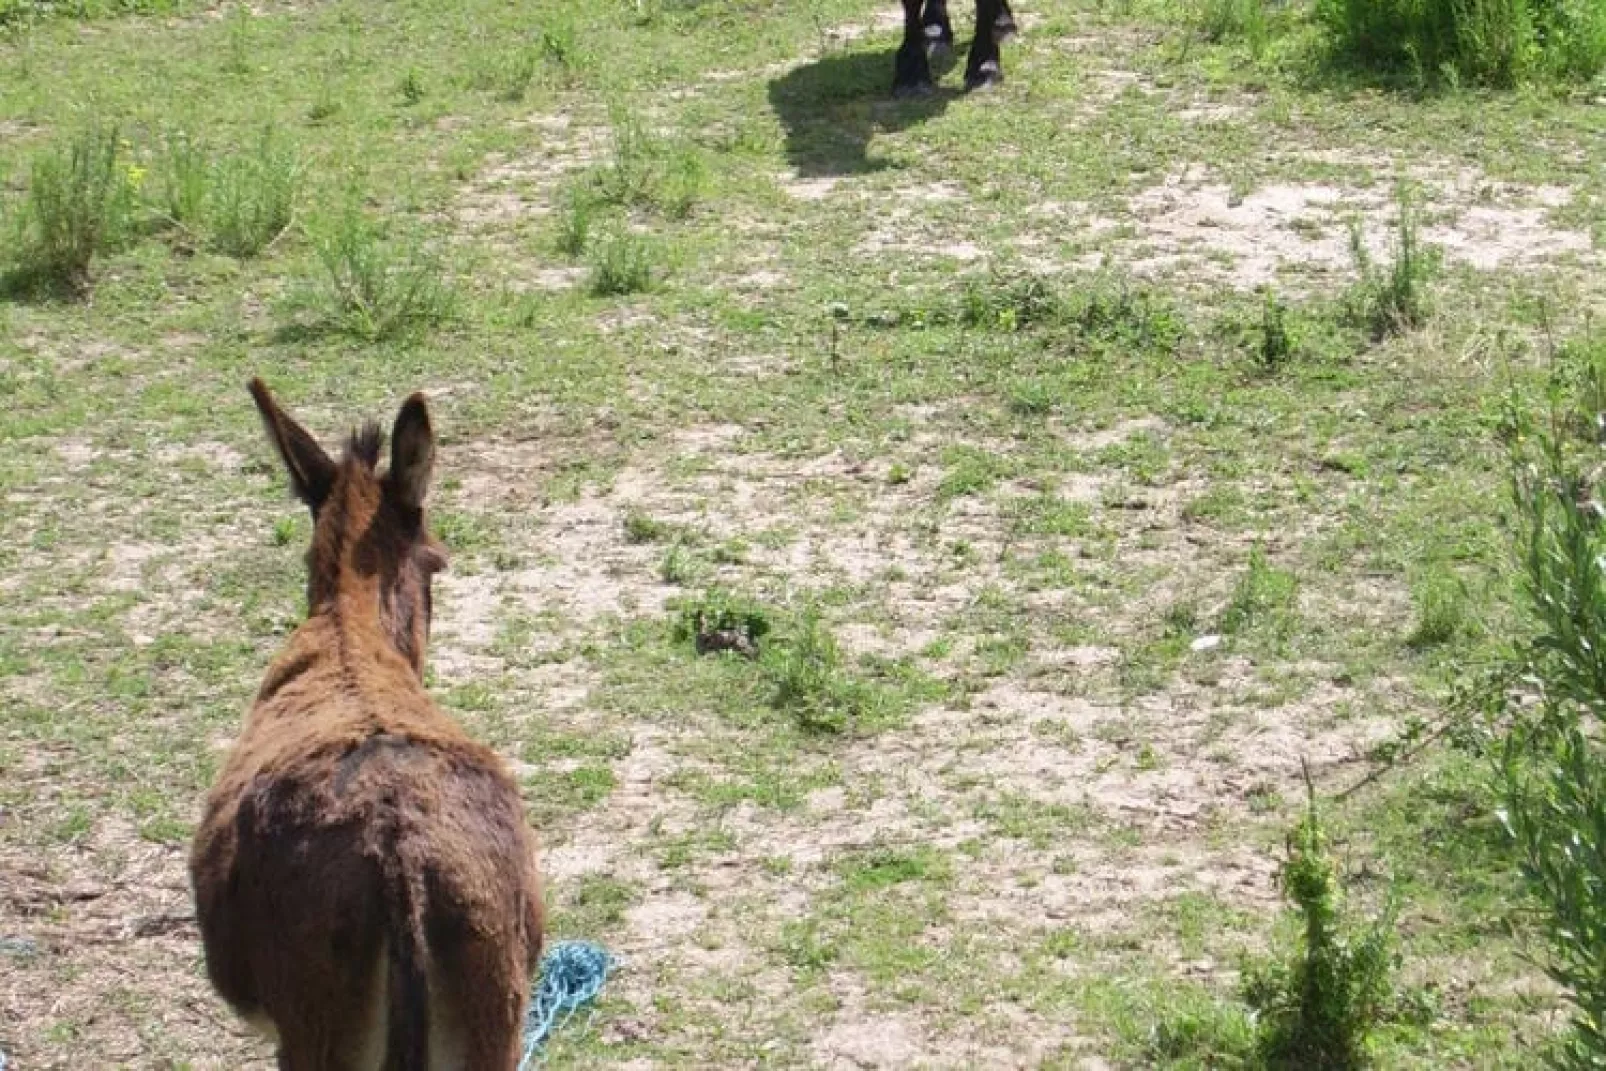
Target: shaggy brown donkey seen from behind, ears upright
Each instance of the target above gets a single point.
(364, 874)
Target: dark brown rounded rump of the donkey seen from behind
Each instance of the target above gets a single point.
(351, 855)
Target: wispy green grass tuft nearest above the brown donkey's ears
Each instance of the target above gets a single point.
(375, 287)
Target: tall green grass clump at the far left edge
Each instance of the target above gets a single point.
(81, 203)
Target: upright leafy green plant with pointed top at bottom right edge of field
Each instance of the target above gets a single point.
(1318, 1008)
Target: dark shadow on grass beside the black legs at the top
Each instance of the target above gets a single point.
(833, 108)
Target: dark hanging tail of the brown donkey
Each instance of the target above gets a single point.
(407, 977)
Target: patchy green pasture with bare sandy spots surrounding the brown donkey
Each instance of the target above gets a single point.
(1064, 524)
